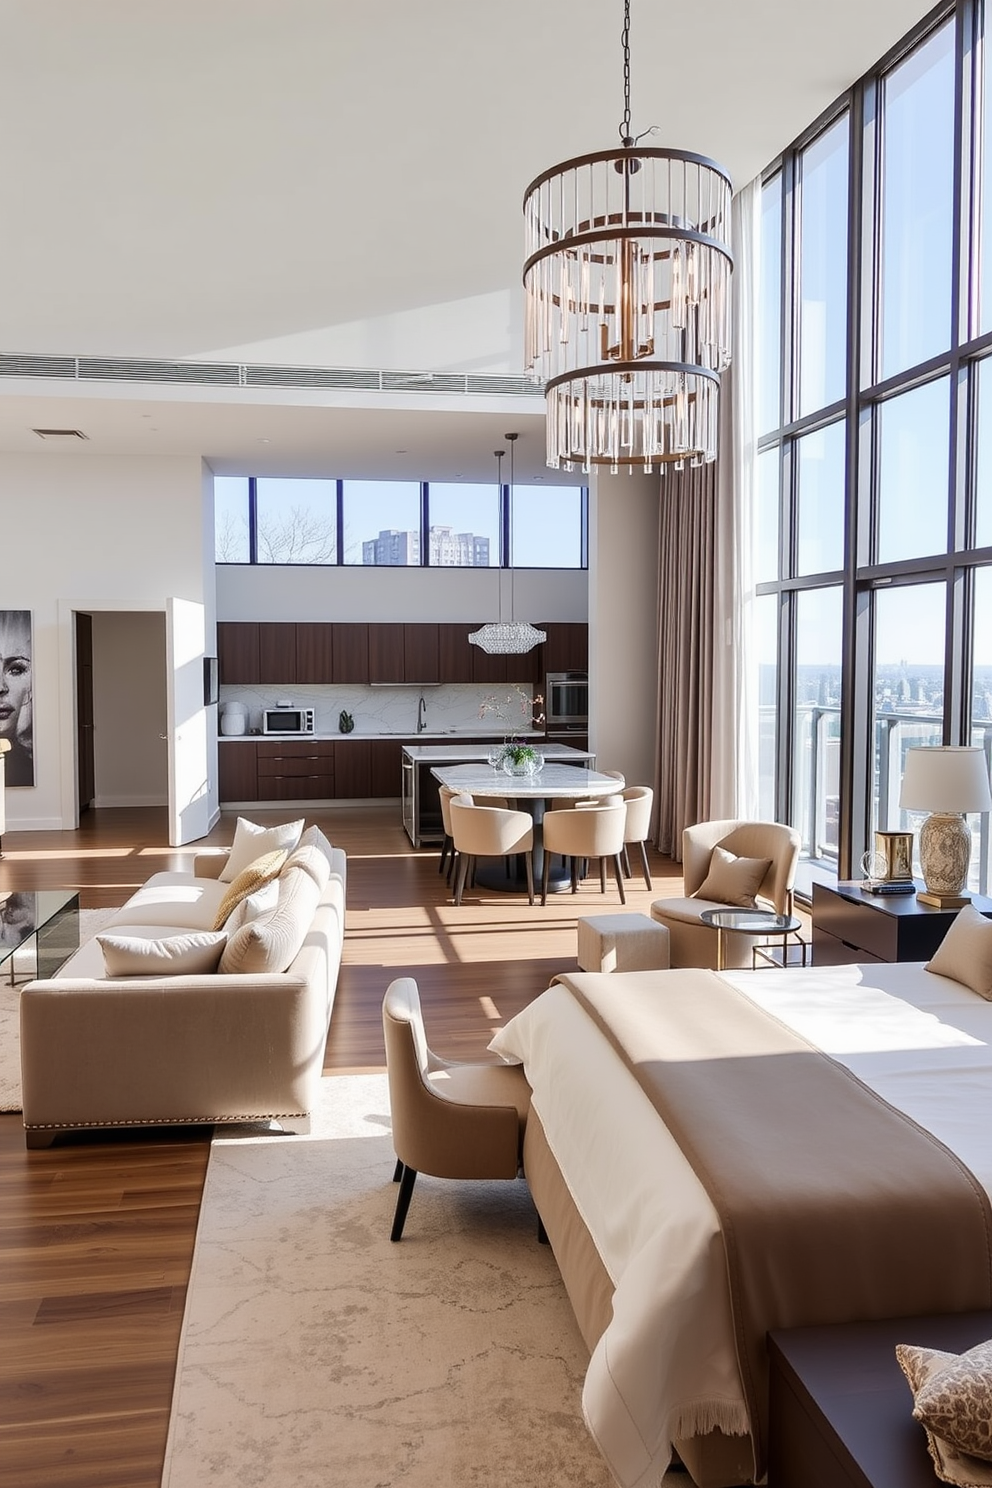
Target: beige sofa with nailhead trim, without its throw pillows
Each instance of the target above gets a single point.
(179, 1050)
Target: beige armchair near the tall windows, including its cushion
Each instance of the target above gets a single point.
(719, 858)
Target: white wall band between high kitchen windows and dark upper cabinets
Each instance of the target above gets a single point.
(399, 594)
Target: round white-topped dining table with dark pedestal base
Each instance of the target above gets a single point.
(529, 794)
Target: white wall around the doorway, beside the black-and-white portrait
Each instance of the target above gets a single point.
(86, 532)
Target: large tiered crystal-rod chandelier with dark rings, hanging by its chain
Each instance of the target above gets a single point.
(628, 301)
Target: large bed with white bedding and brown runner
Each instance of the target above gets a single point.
(887, 1139)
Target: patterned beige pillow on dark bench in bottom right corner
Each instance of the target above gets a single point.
(951, 1399)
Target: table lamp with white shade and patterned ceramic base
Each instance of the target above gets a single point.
(948, 782)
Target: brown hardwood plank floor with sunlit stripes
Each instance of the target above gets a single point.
(97, 1233)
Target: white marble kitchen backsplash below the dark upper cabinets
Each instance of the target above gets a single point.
(448, 709)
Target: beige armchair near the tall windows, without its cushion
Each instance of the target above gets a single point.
(695, 944)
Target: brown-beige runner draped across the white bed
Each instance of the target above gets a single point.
(835, 1208)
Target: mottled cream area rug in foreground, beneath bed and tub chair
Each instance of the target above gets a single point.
(316, 1352)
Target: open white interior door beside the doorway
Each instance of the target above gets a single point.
(188, 763)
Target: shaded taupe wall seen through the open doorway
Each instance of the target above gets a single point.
(130, 713)
